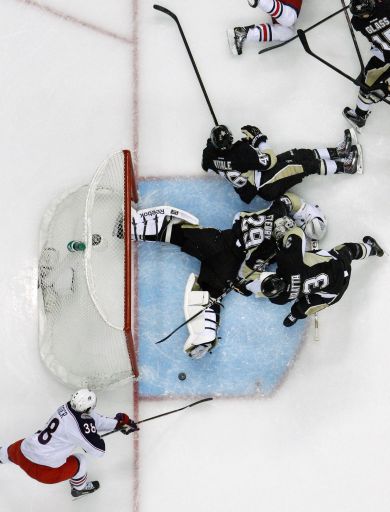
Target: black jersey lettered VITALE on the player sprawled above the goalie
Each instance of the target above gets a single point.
(241, 165)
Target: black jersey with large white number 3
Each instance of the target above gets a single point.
(314, 280)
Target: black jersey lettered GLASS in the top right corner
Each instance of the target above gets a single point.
(376, 28)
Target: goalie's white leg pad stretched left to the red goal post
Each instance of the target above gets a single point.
(157, 222)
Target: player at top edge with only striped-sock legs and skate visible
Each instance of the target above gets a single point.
(284, 15)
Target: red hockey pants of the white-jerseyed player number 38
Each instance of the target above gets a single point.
(43, 474)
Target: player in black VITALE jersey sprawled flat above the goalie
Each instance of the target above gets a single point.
(253, 169)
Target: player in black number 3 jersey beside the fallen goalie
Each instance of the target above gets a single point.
(313, 280)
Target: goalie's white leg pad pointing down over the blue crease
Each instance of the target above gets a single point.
(203, 328)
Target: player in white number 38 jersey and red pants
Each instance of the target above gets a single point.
(47, 455)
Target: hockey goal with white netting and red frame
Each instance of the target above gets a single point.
(84, 280)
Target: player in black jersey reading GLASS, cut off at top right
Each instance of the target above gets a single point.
(372, 19)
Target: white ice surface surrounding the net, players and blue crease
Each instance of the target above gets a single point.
(83, 79)
